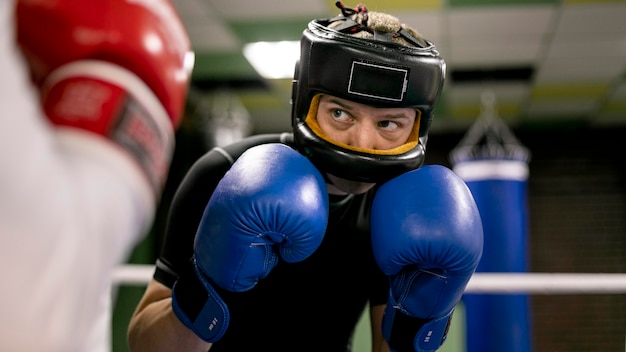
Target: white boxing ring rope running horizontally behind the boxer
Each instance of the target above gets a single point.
(483, 283)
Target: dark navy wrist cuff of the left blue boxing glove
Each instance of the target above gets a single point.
(199, 307)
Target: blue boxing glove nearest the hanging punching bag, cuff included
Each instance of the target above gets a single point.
(427, 237)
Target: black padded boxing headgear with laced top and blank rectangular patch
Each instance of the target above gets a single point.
(377, 72)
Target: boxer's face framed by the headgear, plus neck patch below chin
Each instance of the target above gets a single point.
(363, 127)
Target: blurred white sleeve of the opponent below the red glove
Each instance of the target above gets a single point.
(72, 207)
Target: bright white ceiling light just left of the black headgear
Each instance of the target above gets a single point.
(273, 60)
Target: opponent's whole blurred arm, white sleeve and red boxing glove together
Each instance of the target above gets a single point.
(79, 173)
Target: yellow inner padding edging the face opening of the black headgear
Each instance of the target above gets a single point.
(311, 121)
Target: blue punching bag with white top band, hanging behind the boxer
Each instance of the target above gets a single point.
(495, 167)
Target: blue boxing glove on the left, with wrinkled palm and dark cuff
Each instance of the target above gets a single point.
(271, 202)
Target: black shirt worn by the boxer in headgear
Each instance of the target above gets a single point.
(313, 305)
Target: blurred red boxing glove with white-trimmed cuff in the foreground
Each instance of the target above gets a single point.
(117, 68)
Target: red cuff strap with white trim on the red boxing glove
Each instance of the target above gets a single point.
(128, 113)
